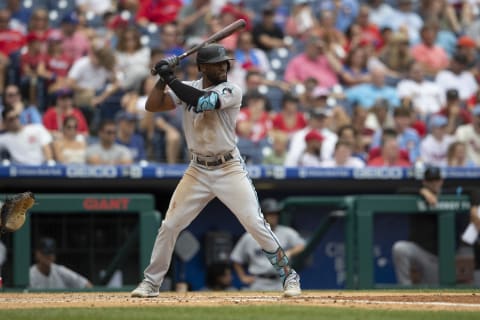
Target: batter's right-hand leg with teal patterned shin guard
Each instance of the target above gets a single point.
(235, 189)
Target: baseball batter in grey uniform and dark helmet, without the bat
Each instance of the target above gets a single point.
(210, 107)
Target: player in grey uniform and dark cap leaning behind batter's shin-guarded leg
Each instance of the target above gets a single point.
(259, 274)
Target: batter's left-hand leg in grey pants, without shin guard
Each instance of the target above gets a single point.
(190, 197)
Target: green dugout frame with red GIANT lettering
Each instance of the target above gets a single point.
(145, 230)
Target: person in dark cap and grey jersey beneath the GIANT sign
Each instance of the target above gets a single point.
(46, 274)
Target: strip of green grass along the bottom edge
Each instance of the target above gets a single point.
(234, 312)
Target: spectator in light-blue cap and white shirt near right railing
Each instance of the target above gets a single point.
(433, 148)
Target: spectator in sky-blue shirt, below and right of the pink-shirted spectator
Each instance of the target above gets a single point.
(366, 94)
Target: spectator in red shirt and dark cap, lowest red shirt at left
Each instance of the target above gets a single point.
(55, 115)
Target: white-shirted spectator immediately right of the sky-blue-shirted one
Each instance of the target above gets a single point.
(427, 97)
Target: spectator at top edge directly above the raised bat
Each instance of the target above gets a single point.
(192, 19)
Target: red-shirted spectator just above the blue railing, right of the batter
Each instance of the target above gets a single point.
(390, 155)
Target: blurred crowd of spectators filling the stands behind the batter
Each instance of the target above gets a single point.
(328, 83)
